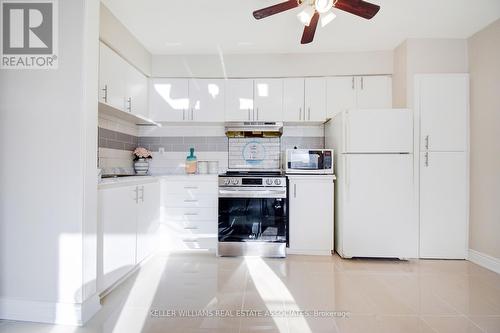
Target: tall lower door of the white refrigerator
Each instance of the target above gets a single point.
(378, 217)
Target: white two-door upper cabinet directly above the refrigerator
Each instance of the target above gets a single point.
(362, 92)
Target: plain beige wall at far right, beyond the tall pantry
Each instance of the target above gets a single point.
(484, 54)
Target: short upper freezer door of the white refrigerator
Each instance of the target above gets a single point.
(378, 131)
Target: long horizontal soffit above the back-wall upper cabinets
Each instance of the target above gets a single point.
(272, 65)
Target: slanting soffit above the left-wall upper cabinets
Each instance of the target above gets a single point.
(114, 34)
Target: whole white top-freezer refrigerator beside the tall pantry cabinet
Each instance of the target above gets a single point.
(375, 212)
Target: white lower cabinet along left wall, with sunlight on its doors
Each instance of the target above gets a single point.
(129, 219)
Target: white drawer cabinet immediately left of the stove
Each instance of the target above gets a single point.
(190, 213)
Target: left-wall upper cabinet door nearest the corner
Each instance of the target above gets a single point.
(137, 92)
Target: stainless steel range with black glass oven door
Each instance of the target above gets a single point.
(253, 215)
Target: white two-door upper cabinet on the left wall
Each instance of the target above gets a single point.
(121, 86)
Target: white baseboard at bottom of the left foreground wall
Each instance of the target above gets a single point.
(74, 314)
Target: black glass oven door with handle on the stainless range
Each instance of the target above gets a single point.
(253, 215)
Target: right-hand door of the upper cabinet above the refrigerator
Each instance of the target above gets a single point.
(374, 92)
